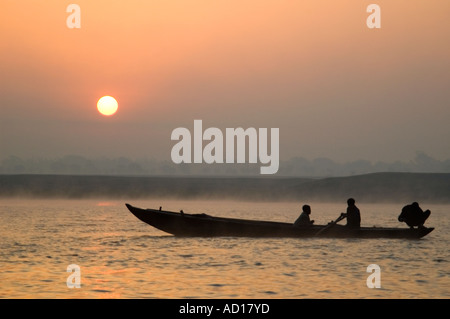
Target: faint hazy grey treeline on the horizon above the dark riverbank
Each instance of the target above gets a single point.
(295, 167)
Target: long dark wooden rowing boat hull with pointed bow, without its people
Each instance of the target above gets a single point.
(202, 225)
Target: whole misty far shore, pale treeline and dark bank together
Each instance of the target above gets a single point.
(299, 179)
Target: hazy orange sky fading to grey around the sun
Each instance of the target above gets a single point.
(312, 68)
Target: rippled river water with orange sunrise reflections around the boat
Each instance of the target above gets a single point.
(121, 257)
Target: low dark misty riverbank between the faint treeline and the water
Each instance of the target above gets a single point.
(376, 187)
